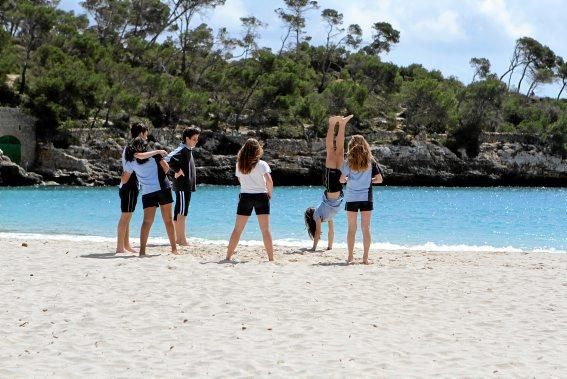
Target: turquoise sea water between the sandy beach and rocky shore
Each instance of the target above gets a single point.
(529, 219)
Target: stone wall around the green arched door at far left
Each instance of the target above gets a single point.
(13, 122)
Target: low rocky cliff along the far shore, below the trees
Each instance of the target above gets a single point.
(413, 162)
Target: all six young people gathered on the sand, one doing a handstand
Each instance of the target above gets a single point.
(152, 169)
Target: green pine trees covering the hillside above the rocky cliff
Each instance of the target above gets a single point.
(149, 58)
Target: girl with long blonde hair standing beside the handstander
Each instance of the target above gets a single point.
(359, 172)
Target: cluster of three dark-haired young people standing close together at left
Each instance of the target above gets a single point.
(149, 170)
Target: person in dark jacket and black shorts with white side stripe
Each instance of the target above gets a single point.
(182, 162)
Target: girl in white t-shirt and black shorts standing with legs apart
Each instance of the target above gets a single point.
(255, 193)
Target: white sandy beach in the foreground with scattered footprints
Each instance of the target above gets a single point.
(76, 309)
